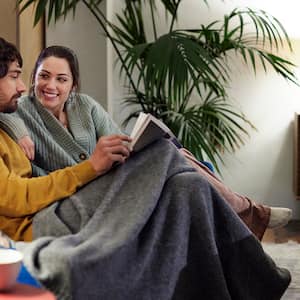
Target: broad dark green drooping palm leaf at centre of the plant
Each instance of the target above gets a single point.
(168, 65)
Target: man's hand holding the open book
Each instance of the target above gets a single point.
(110, 149)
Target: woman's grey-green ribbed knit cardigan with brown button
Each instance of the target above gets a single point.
(55, 146)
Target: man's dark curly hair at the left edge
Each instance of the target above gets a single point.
(8, 54)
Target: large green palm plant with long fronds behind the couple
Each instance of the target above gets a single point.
(181, 75)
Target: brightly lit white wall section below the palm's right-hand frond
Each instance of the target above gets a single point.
(263, 168)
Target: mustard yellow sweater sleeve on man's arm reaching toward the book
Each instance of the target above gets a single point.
(22, 196)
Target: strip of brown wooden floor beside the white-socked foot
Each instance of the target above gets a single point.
(284, 234)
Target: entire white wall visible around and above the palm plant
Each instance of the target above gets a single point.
(263, 168)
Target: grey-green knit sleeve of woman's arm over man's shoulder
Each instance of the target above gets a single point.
(13, 125)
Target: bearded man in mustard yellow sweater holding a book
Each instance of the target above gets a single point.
(21, 195)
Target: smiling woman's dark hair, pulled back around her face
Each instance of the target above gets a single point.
(59, 52)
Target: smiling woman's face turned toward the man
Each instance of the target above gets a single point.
(53, 83)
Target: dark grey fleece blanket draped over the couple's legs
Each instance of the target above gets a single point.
(152, 228)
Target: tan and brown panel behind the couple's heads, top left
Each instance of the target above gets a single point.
(19, 30)
